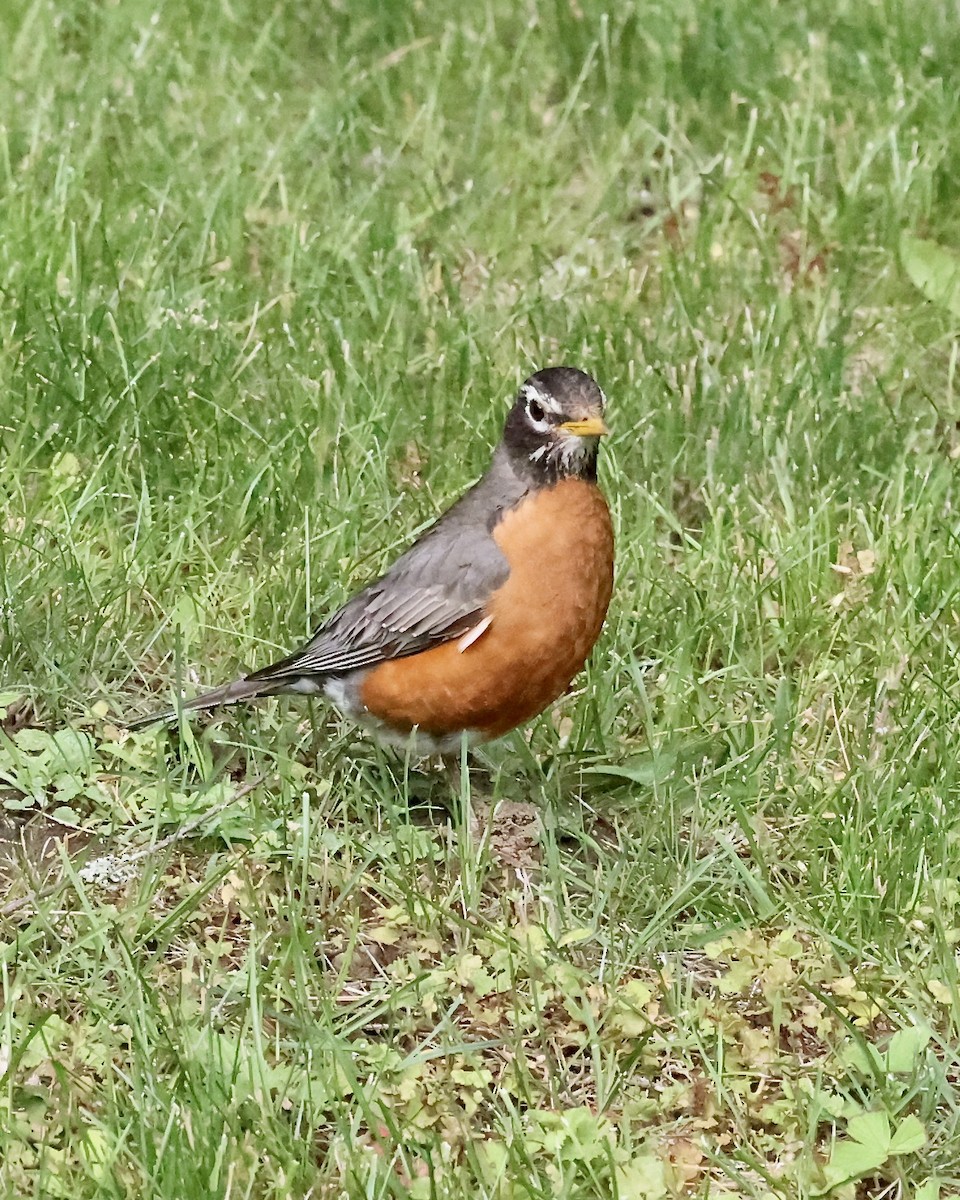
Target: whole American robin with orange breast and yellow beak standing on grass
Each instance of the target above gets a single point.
(493, 611)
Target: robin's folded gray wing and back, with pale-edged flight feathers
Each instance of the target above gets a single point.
(434, 593)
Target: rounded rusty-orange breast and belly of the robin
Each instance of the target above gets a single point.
(544, 623)
